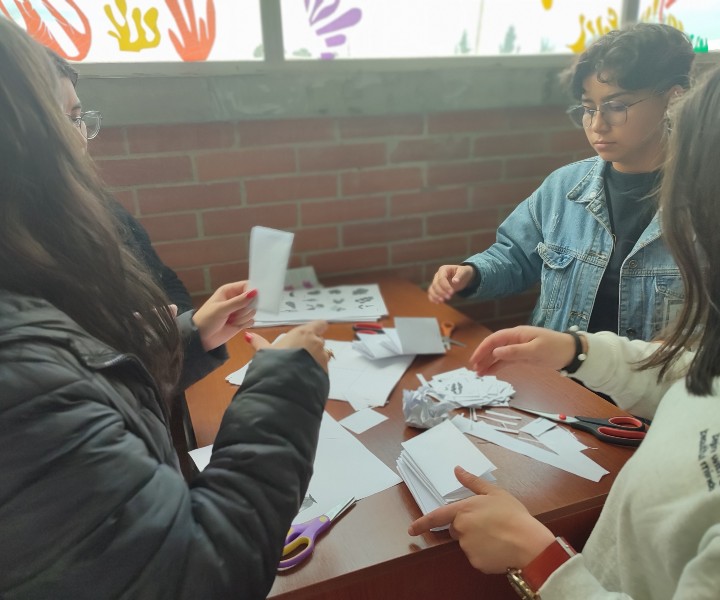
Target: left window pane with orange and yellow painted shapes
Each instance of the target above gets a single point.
(139, 31)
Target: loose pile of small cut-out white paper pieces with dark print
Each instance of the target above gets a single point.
(465, 388)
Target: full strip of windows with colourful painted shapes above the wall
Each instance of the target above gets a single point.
(137, 31)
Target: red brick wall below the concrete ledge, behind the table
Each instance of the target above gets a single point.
(396, 195)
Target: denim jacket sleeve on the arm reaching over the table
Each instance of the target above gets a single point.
(511, 264)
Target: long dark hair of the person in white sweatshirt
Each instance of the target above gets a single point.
(690, 215)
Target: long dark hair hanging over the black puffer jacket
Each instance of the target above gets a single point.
(57, 239)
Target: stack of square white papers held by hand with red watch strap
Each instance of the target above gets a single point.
(427, 464)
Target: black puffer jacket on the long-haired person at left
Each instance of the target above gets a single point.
(92, 504)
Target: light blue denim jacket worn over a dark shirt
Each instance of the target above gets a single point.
(561, 236)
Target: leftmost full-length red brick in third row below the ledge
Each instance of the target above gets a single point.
(188, 197)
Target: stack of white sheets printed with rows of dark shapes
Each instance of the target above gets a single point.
(338, 303)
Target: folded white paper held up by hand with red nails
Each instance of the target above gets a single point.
(269, 256)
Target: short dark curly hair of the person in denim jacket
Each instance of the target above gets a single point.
(642, 56)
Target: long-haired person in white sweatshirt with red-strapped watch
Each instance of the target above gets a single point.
(658, 535)
